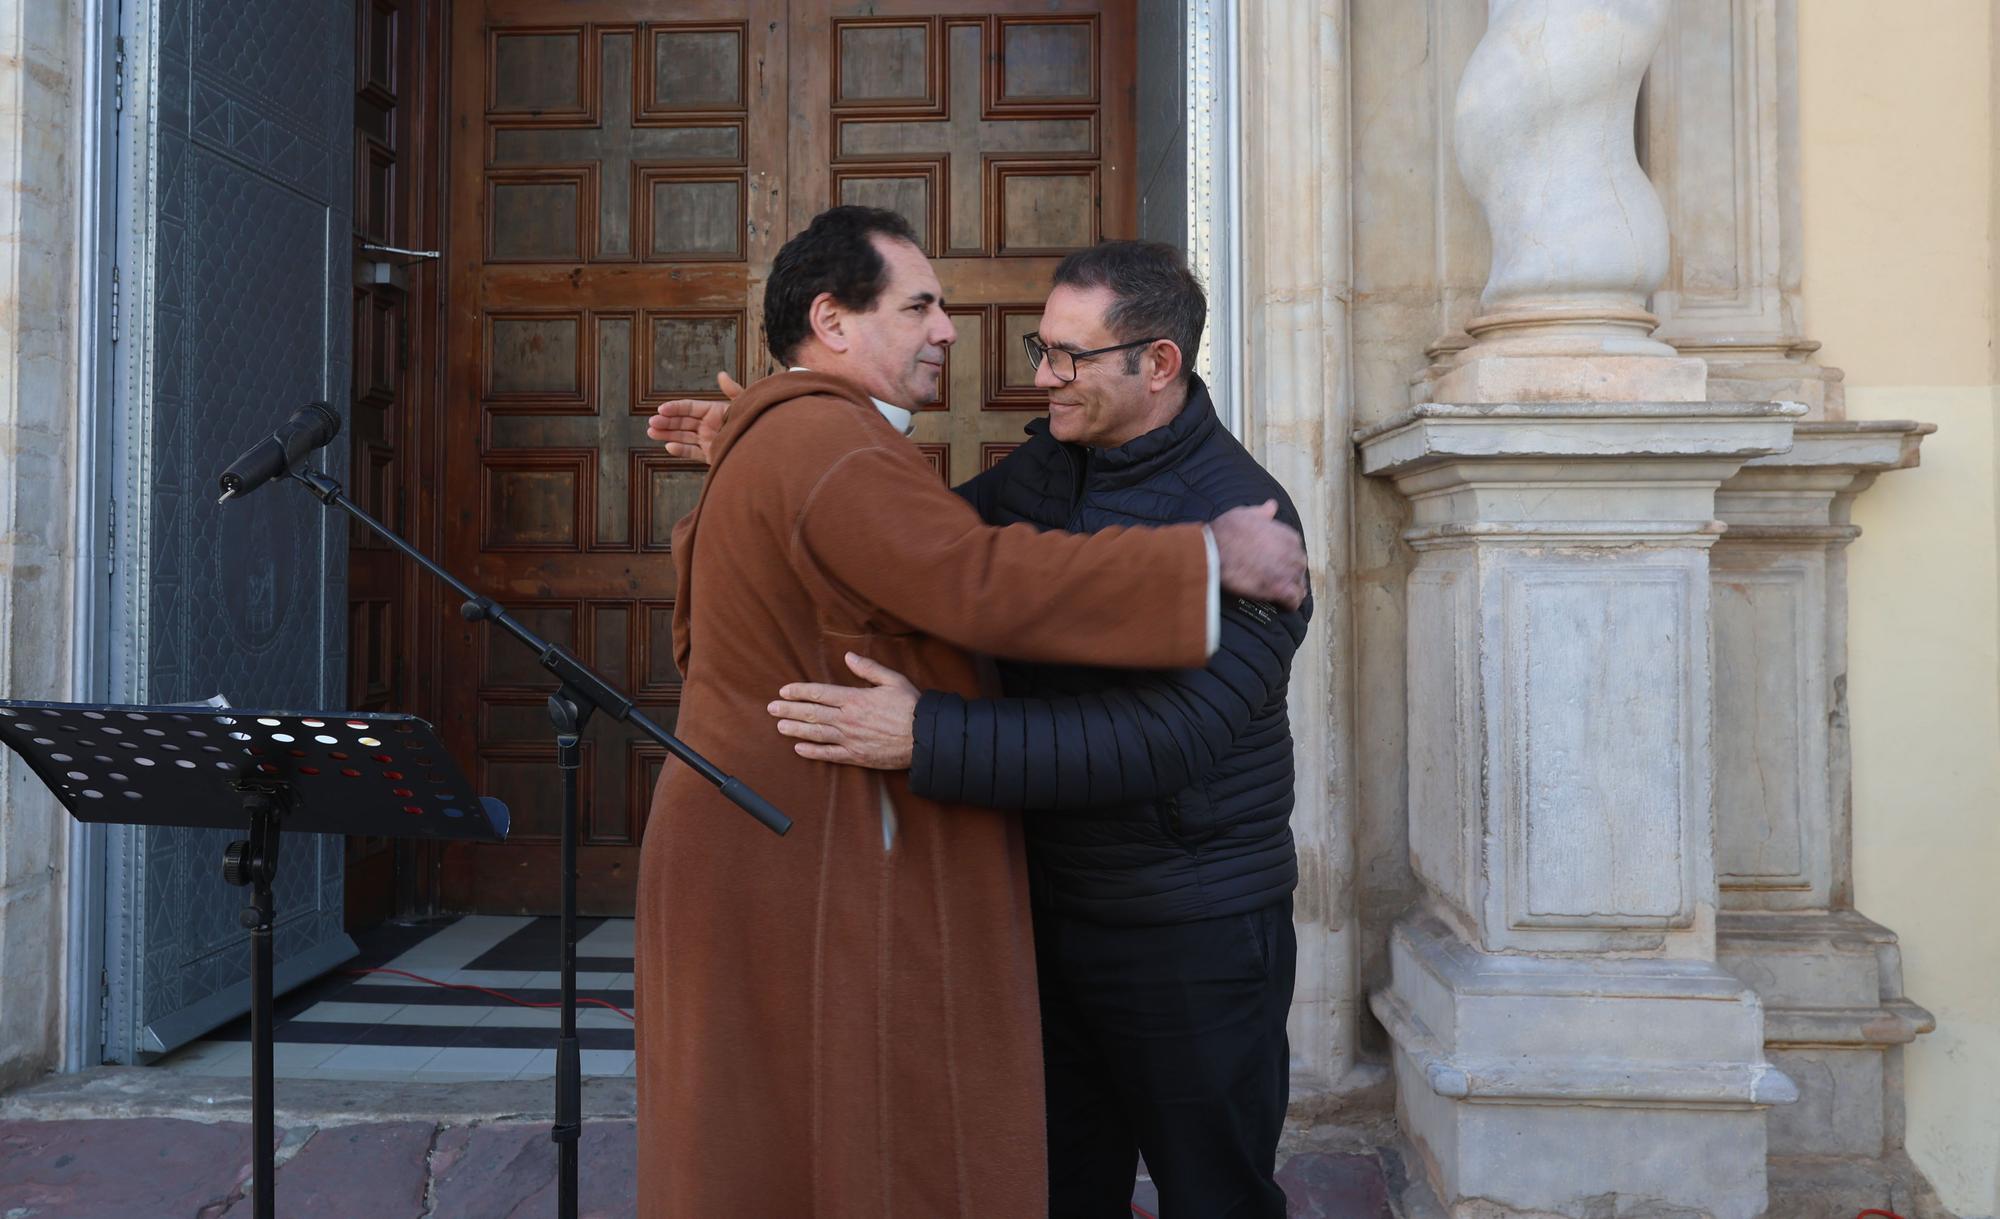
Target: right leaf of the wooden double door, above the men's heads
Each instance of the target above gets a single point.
(1005, 135)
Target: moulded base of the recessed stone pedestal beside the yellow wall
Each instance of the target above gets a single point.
(1833, 1020)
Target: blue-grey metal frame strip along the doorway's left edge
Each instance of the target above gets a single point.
(119, 239)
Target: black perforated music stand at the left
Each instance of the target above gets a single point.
(267, 772)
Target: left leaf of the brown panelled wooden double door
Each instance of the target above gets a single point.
(615, 185)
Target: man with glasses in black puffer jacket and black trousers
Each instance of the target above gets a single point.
(1157, 804)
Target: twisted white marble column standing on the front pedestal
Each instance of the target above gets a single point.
(1543, 133)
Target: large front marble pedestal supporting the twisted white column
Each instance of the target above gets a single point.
(1565, 1042)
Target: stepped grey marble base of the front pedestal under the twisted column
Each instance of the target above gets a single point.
(1511, 1072)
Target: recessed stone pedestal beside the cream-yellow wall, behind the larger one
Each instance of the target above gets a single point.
(1831, 980)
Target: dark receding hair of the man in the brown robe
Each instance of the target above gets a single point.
(831, 255)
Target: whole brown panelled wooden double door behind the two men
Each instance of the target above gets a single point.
(621, 177)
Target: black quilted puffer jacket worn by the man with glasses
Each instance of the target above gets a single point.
(1153, 796)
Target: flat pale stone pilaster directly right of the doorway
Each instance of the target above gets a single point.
(1297, 421)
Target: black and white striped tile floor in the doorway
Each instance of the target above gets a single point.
(385, 1026)
